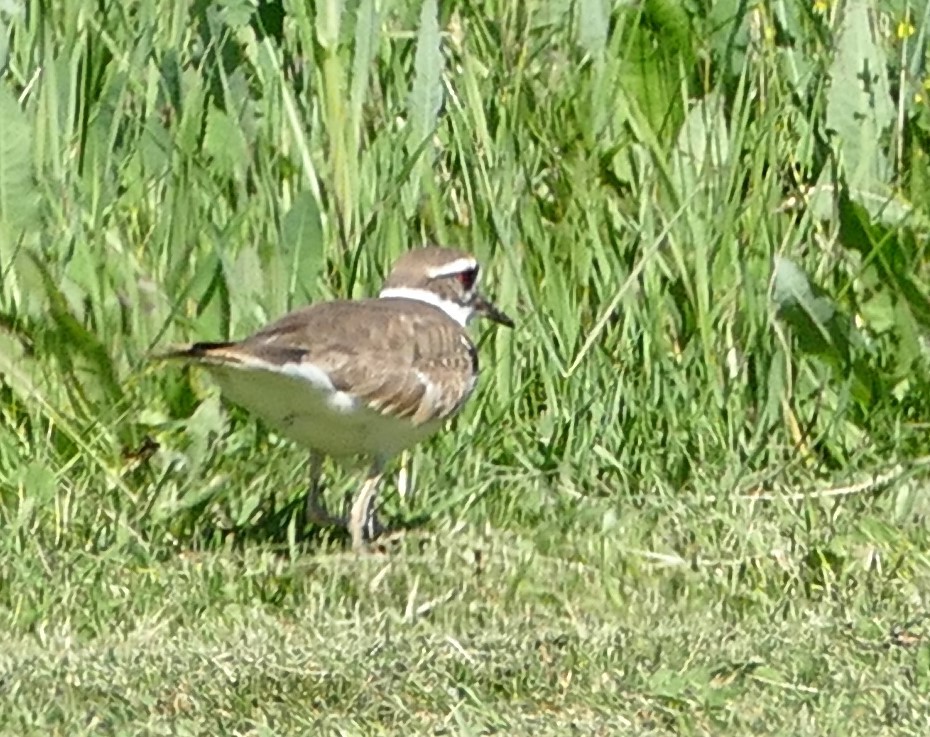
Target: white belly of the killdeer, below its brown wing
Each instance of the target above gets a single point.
(309, 411)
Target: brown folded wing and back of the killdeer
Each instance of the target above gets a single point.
(400, 358)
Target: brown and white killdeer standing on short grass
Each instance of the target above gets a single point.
(367, 377)
